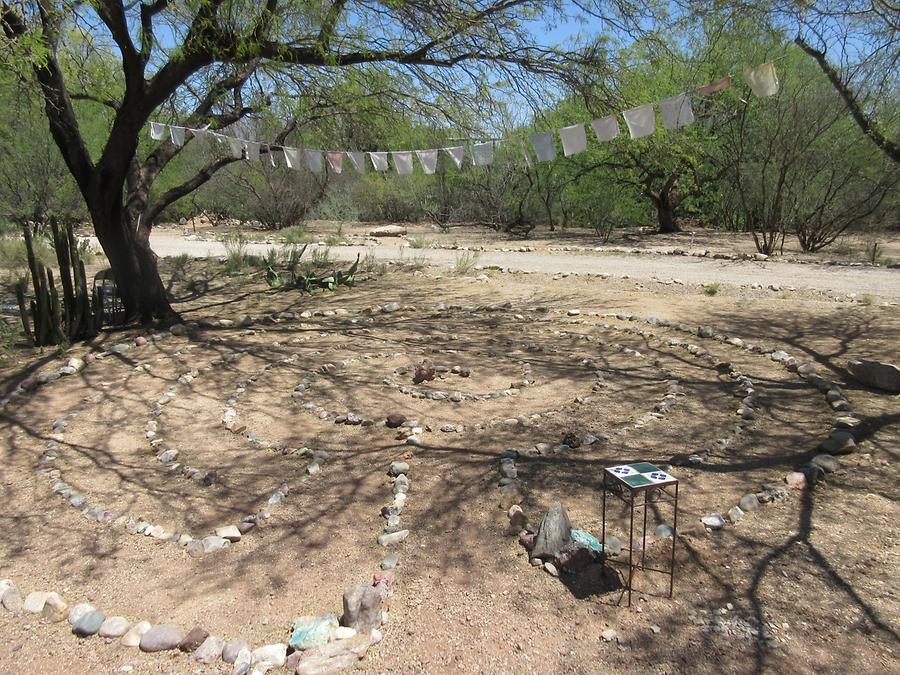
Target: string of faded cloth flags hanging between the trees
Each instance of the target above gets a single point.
(641, 121)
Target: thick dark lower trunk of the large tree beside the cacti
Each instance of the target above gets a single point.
(133, 263)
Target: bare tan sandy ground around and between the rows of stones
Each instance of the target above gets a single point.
(817, 571)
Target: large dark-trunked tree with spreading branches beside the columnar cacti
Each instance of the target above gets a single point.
(193, 63)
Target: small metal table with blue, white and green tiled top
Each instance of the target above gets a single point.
(634, 484)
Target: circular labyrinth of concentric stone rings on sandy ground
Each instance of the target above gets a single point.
(198, 439)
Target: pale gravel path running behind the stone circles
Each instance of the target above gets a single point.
(843, 280)
